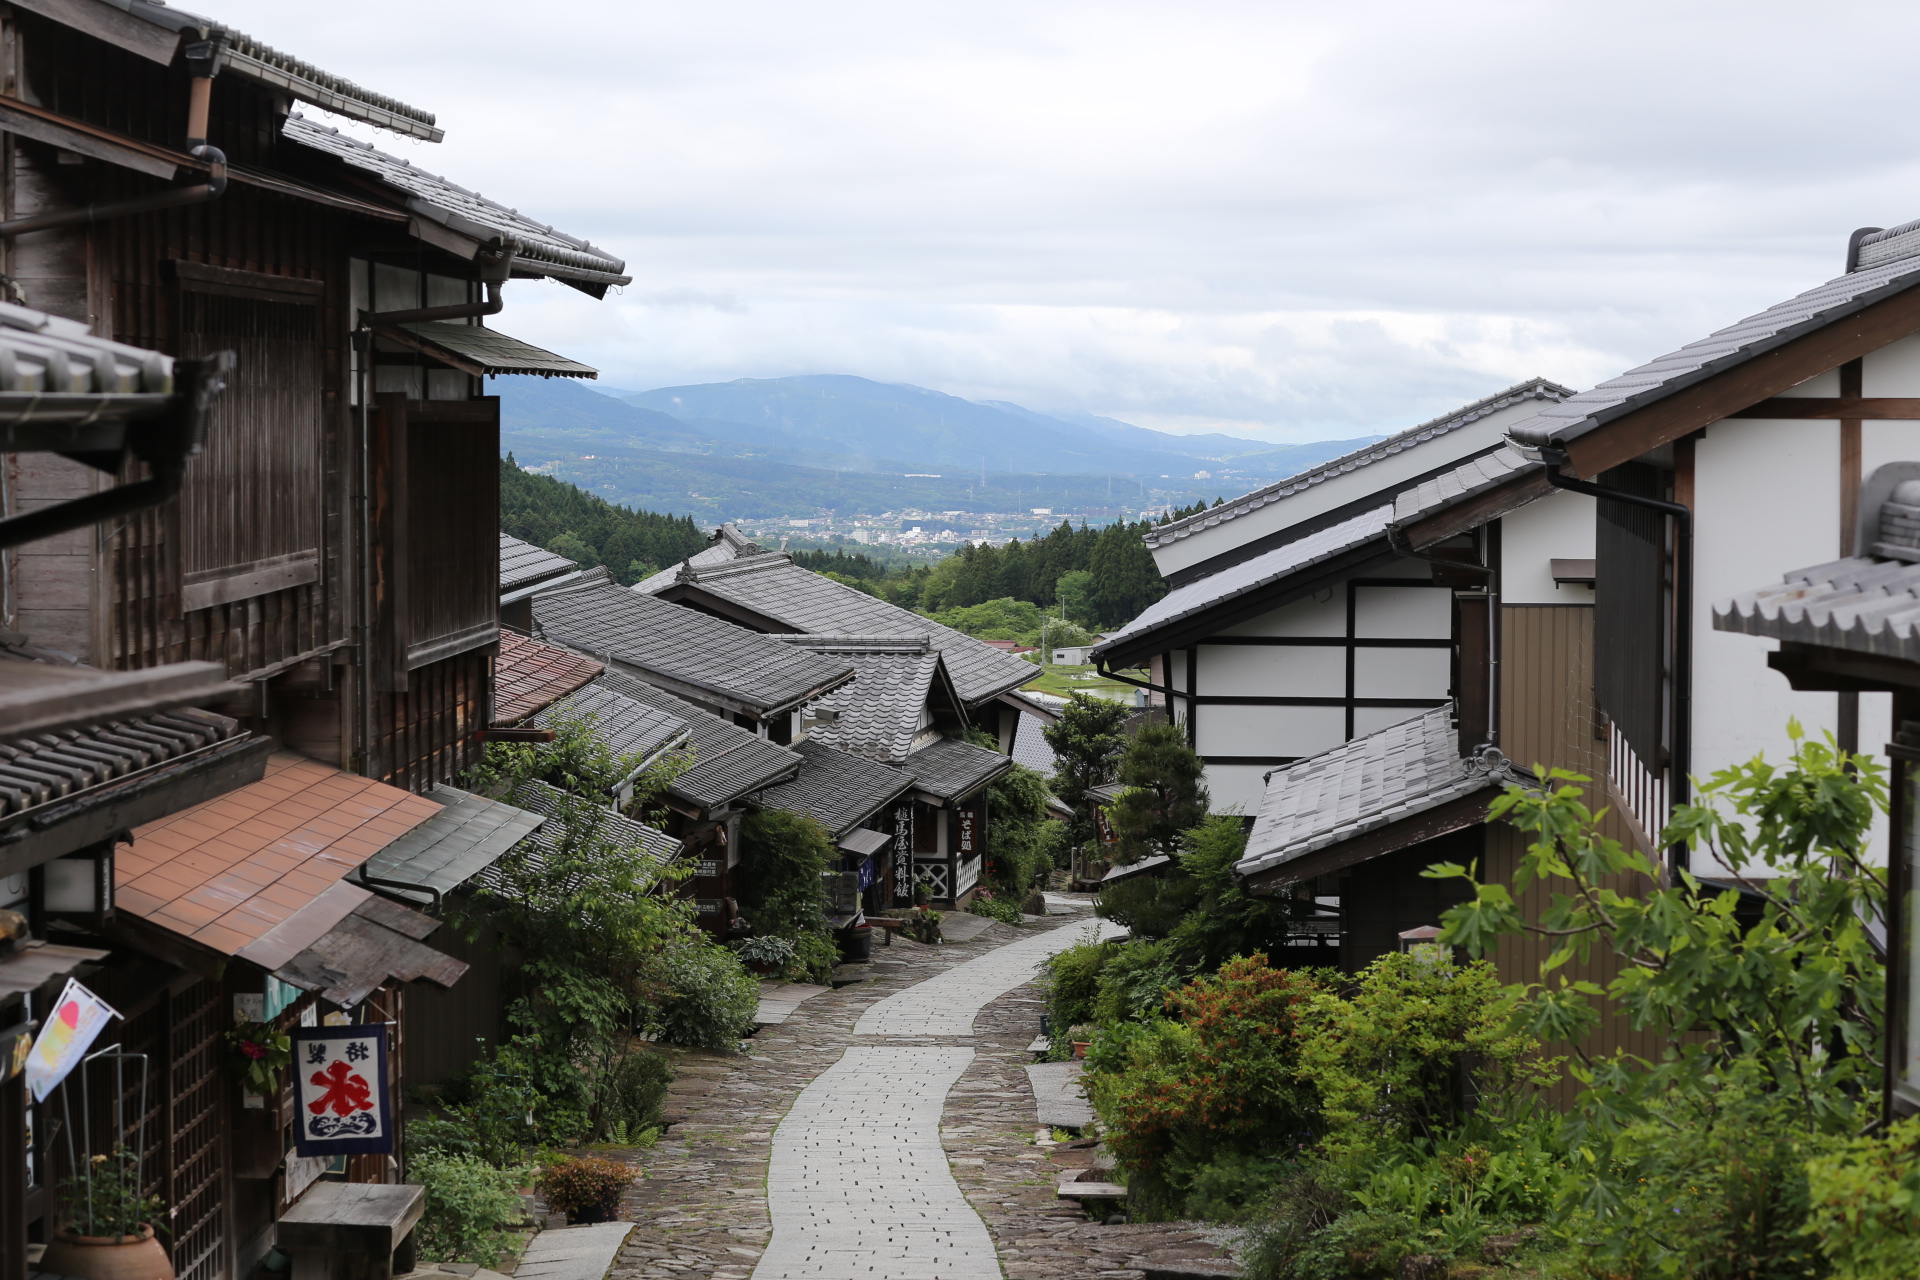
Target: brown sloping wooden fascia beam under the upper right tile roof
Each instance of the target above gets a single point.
(1725, 394)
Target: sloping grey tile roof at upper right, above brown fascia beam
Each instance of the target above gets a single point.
(1721, 350)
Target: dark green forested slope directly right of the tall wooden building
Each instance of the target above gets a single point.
(592, 531)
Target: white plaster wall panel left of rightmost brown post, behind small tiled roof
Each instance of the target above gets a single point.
(1767, 500)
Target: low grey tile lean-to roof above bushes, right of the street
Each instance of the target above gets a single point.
(1366, 784)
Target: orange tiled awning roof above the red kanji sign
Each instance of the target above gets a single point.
(256, 872)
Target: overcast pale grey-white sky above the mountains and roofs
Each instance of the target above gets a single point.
(1291, 222)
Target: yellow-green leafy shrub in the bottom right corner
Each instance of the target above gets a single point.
(1865, 1206)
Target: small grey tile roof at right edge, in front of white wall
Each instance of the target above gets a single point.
(1860, 605)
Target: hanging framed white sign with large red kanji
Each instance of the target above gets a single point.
(343, 1104)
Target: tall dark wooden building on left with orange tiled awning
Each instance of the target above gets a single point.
(329, 561)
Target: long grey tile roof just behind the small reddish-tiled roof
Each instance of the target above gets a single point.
(686, 646)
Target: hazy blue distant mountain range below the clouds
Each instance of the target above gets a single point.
(830, 442)
